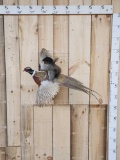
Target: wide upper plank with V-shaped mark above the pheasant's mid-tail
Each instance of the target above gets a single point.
(79, 55)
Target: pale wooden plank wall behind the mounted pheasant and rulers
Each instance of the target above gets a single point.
(75, 127)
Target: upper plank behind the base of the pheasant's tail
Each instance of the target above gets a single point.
(61, 48)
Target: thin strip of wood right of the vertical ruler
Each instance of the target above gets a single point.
(118, 118)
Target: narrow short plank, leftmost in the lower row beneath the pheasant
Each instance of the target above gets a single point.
(27, 132)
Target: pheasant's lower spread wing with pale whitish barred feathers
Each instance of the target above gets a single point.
(46, 92)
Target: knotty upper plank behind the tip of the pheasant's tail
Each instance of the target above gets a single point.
(101, 29)
